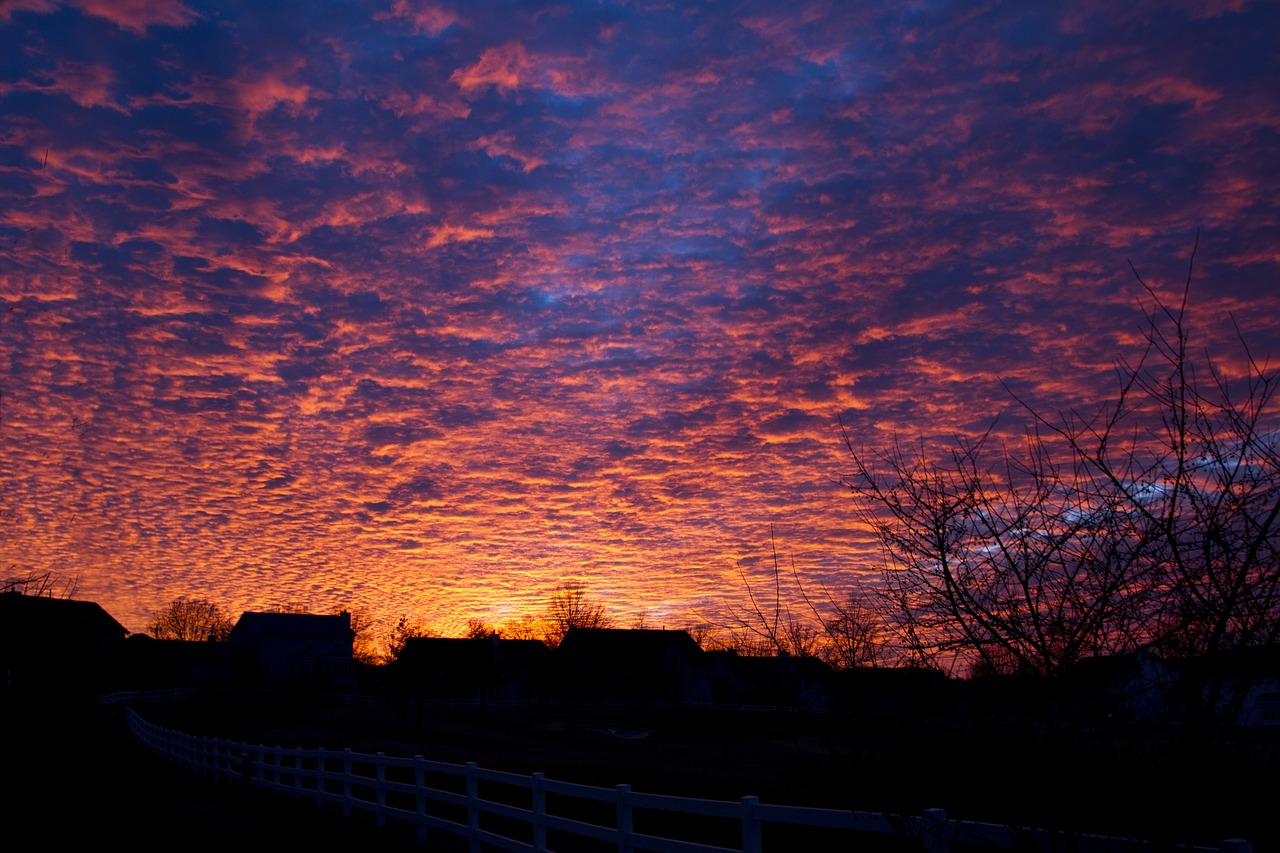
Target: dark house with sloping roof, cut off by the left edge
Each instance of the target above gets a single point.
(57, 646)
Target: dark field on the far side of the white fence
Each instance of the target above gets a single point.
(1145, 783)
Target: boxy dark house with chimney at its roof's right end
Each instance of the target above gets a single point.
(298, 650)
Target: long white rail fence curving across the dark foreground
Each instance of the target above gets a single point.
(516, 813)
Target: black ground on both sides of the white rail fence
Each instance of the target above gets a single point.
(76, 776)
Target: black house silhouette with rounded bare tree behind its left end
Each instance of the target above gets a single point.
(632, 665)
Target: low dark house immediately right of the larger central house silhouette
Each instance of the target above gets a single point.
(785, 681)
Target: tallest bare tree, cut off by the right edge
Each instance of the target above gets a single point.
(1204, 486)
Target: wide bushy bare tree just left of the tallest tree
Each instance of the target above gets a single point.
(1018, 562)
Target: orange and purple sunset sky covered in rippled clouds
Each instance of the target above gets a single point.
(428, 308)
